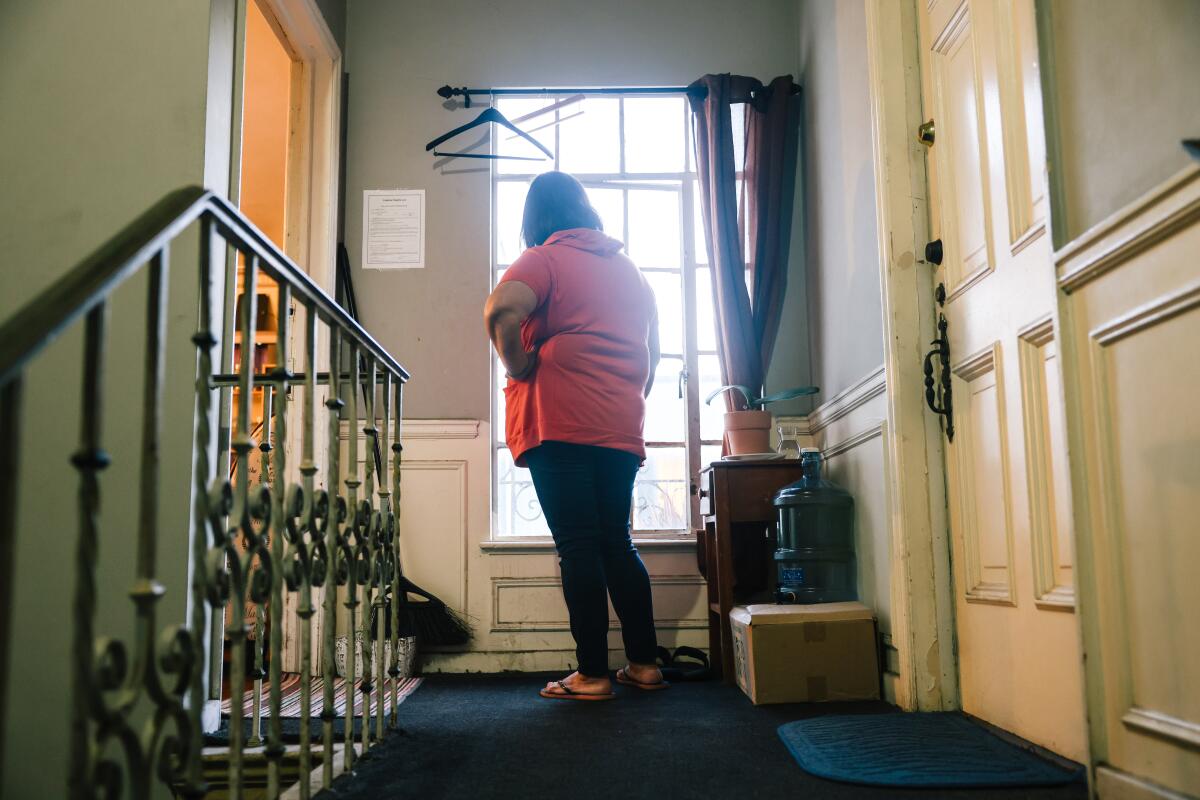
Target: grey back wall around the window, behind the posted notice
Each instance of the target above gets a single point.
(400, 53)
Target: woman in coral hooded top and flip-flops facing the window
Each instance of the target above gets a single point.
(577, 327)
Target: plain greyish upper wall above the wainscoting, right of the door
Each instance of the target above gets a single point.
(1124, 94)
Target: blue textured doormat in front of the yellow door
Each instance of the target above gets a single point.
(916, 751)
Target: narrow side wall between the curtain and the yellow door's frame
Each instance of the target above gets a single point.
(842, 263)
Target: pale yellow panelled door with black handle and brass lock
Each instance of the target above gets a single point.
(1007, 474)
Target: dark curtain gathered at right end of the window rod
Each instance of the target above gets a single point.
(747, 248)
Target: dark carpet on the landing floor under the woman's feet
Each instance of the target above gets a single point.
(481, 737)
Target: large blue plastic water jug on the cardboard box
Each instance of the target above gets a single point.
(815, 560)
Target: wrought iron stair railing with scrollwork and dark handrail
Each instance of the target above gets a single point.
(332, 536)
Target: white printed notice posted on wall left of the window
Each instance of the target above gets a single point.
(394, 230)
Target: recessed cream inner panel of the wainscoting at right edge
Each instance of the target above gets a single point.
(1155, 474)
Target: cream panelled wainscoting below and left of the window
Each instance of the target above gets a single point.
(511, 592)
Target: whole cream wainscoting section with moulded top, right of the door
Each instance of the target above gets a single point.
(1133, 309)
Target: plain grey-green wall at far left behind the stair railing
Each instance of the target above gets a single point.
(105, 115)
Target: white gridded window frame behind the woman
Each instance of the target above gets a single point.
(685, 184)
